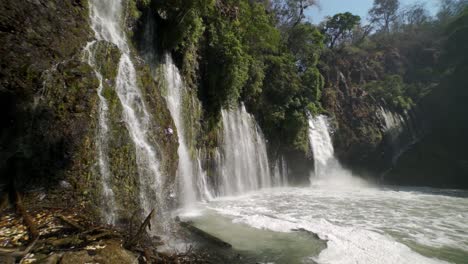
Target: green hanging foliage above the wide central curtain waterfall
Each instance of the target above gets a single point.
(235, 52)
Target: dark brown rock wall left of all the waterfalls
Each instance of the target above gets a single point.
(39, 38)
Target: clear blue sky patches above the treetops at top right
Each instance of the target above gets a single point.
(358, 7)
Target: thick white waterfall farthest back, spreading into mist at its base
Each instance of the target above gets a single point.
(327, 169)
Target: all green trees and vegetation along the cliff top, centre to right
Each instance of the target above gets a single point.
(266, 54)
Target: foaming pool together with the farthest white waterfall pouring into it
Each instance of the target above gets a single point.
(359, 223)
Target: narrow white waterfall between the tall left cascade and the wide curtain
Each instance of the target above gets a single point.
(190, 173)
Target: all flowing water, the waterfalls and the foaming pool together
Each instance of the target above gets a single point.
(359, 223)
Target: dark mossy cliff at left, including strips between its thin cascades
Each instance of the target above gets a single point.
(50, 100)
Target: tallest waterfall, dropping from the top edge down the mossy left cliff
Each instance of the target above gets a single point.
(106, 21)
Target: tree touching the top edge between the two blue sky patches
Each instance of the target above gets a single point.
(384, 13)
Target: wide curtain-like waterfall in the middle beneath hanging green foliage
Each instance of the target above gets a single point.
(244, 159)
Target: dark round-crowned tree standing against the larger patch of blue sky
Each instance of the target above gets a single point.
(339, 27)
